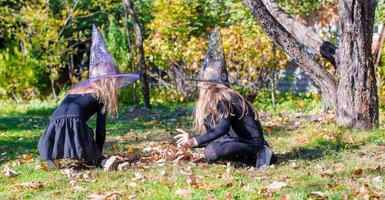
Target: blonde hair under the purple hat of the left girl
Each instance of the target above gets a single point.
(105, 91)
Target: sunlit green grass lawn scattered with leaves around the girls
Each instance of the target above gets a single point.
(317, 159)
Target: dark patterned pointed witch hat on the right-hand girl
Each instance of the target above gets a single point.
(214, 68)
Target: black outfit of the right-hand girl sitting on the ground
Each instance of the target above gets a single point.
(235, 138)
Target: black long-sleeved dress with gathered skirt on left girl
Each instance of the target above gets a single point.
(67, 134)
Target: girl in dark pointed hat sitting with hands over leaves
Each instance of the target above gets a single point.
(231, 128)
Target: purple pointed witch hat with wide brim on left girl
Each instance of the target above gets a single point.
(102, 65)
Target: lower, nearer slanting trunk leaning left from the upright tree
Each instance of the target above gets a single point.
(296, 50)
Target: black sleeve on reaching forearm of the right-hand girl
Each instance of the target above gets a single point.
(221, 128)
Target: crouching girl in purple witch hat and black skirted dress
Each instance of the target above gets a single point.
(67, 134)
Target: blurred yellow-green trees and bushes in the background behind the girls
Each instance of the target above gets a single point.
(44, 45)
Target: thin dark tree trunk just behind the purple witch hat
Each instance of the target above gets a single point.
(141, 58)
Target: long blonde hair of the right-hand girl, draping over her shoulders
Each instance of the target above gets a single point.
(218, 101)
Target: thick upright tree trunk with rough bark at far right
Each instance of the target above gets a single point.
(357, 91)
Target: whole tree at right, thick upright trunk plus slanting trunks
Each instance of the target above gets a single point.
(357, 103)
